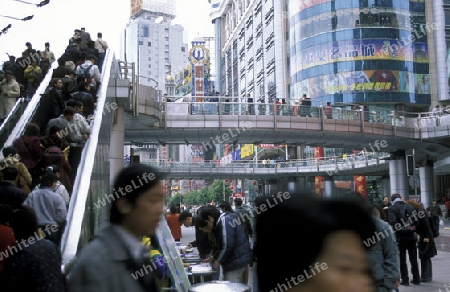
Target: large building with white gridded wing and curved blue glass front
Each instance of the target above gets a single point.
(378, 53)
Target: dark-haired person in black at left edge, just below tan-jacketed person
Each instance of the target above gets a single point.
(10, 194)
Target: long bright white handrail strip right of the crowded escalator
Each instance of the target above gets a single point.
(77, 205)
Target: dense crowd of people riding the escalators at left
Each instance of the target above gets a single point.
(38, 170)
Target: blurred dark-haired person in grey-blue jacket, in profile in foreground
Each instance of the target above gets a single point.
(110, 262)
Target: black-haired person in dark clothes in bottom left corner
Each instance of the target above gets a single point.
(35, 263)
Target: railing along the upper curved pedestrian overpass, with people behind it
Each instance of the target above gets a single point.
(218, 105)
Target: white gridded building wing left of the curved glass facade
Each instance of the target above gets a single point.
(250, 48)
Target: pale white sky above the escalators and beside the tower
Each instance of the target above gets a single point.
(56, 21)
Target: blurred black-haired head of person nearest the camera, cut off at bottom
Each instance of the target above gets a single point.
(313, 244)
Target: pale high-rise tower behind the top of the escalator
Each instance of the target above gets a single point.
(151, 41)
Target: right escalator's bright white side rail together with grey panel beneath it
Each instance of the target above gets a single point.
(83, 219)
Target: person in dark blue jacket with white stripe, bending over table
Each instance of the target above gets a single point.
(231, 249)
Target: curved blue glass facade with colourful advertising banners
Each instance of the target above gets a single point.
(359, 51)
